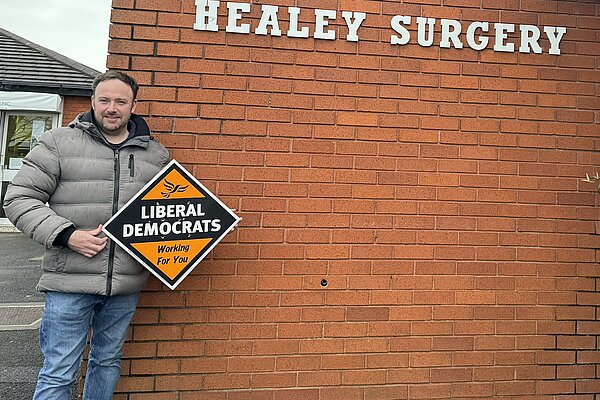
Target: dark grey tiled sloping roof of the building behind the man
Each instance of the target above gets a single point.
(26, 66)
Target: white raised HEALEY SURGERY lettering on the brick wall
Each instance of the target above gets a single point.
(480, 35)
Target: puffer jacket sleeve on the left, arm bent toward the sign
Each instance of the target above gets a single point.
(27, 195)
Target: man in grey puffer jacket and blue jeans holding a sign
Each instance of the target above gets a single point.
(74, 180)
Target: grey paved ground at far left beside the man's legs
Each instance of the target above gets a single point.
(20, 310)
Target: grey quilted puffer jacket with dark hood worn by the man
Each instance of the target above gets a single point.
(84, 181)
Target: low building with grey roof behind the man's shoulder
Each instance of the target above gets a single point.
(39, 90)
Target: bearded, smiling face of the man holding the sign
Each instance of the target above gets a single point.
(113, 104)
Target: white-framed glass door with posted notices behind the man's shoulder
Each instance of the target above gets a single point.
(21, 132)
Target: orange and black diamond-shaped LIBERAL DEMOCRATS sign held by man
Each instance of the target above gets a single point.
(171, 224)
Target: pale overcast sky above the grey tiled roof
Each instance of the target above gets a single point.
(77, 29)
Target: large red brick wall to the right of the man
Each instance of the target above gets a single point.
(438, 191)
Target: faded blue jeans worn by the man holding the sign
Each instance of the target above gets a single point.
(63, 334)
